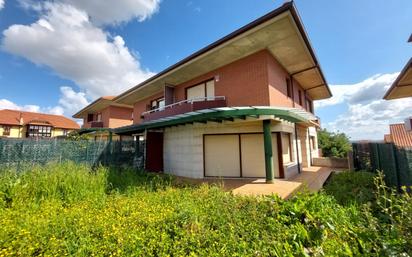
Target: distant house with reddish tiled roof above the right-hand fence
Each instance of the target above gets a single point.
(400, 134)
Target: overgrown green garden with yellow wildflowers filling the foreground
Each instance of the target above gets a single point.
(69, 209)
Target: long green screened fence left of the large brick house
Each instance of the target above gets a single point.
(23, 152)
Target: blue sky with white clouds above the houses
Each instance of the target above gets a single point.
(56, 56)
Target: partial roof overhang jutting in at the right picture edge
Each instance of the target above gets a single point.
(402, 87)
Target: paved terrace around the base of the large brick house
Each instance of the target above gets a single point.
(311, 179)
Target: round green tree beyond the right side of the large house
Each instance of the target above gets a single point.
(333, 144)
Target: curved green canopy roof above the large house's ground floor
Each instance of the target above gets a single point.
(294, 115)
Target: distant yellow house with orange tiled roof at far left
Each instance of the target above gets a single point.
(20, 124)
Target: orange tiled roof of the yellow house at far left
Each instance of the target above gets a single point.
(12, 117)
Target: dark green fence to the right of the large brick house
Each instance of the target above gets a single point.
(394, 162)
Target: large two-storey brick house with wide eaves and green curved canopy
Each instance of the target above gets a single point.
(240, 107)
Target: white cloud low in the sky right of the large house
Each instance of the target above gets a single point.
(367, 116)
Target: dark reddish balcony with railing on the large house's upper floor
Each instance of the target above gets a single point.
(184, 107)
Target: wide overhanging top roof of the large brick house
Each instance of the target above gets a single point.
(280, 31)
